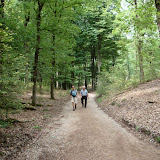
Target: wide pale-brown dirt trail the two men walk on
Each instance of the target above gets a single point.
(87, 134)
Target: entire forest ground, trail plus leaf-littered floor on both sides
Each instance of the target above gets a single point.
(55, 132)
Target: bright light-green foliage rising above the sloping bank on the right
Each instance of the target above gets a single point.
(126, 71)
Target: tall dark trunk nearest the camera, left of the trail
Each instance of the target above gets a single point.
(38, 23)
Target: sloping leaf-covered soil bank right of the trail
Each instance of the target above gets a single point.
(139, 109)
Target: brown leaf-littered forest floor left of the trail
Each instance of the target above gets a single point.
(30, 124)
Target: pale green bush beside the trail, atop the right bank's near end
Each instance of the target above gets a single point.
(115, 81)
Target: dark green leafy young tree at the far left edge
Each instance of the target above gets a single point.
(11, 71)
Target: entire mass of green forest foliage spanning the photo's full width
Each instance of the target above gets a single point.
(80, 41)
